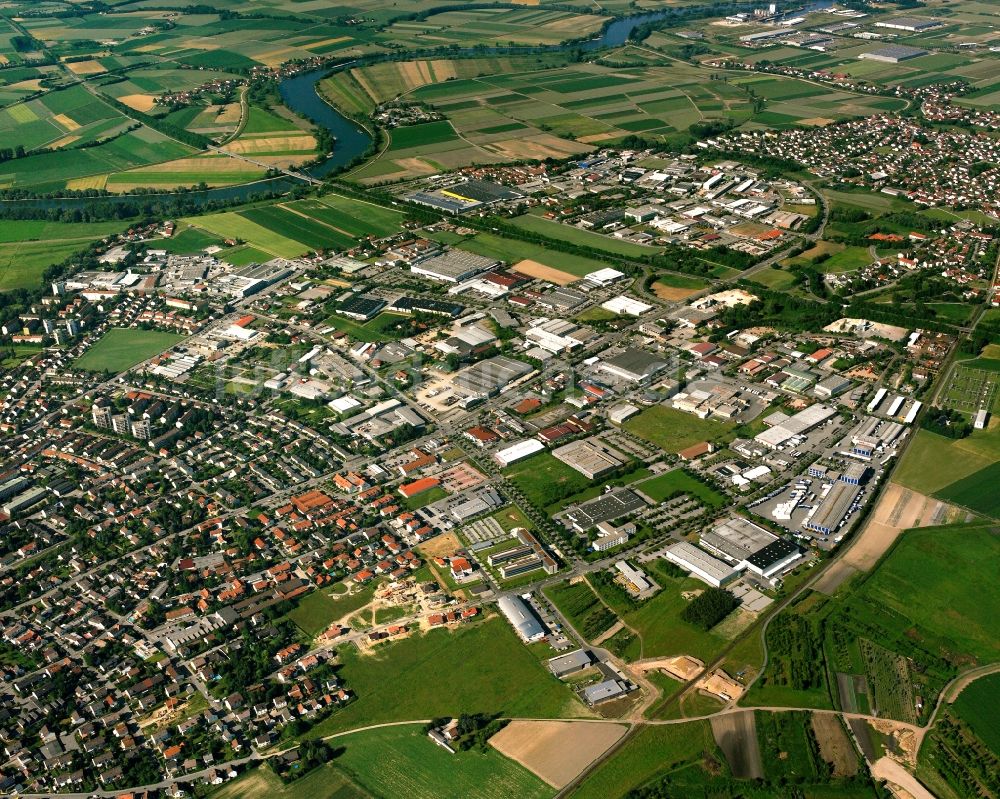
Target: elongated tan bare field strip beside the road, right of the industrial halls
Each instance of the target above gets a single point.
(899, 509)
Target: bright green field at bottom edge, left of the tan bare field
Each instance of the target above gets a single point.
(403, 761)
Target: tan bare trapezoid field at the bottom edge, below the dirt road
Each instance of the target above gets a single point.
(556, 751)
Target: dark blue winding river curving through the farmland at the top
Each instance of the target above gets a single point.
(300, 94)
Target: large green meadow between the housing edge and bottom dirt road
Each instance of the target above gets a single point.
(403, 680)
